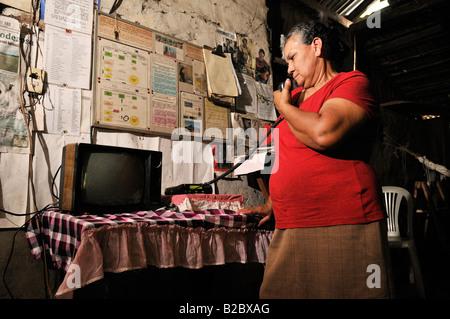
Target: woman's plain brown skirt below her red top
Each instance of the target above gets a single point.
(335, 262)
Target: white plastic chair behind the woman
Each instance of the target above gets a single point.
(393, 197)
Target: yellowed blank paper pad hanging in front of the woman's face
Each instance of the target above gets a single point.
(219, 74)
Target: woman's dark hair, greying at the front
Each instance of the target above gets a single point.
(329, 31)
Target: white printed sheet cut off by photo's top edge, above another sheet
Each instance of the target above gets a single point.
(75, 15)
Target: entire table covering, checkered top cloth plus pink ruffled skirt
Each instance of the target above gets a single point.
(87, 246)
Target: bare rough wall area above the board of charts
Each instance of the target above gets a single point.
(196, 21)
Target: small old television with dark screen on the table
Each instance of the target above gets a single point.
(100, 179)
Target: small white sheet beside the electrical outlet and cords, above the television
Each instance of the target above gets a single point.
(64, 117)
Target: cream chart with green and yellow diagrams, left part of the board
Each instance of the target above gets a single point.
(123, 82)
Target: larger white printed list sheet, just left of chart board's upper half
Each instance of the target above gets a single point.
(67, 57)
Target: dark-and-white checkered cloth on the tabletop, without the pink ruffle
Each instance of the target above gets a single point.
(61, 233)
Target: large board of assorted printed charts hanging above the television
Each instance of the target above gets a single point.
(146, 81)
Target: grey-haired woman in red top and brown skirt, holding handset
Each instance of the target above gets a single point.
(330, 239)
